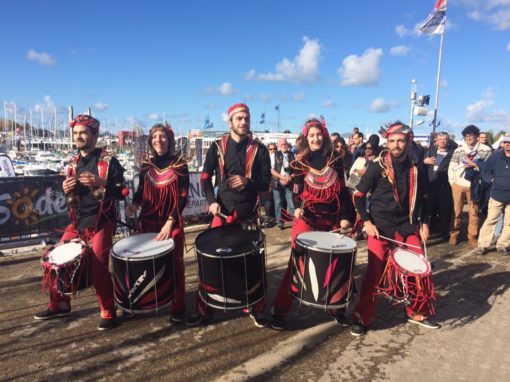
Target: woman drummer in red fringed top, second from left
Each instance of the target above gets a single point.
(162, 195)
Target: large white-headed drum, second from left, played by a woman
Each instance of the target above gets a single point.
(143, 273)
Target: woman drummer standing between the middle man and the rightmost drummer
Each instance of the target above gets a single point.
(319, 190)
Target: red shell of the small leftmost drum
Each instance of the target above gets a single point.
(72, 277)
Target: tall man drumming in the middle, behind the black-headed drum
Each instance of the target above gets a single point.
(242, 170)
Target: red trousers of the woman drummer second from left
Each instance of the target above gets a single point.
(179, 305)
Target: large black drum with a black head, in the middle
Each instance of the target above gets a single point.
(231, 267)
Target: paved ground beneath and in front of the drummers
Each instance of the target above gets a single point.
(473, 307)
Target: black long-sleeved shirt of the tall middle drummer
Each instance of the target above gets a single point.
(243, 201)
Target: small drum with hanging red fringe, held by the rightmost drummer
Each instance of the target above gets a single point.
(407, 279)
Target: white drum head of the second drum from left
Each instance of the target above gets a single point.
(142, 246)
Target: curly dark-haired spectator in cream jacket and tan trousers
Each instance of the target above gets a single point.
(464, 178)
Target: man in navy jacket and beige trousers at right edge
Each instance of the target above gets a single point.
(496, 171)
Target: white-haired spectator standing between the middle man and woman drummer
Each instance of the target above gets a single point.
(281, 182)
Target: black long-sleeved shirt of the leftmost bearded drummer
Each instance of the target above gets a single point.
(88, 206)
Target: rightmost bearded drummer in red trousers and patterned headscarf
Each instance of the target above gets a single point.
(398, 211)
